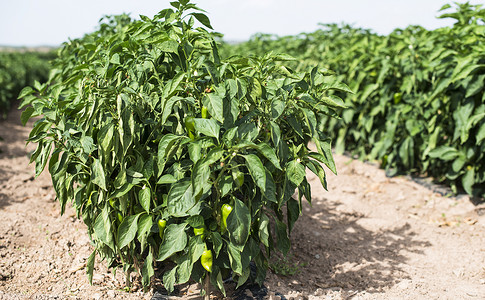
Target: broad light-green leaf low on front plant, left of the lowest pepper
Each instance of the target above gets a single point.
(174, 241)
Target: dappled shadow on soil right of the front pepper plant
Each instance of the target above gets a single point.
(346, 255)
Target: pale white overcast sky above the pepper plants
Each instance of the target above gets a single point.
(52, 22)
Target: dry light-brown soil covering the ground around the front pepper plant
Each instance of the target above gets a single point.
(368, 237)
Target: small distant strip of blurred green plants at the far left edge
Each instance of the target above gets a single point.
(19, 69)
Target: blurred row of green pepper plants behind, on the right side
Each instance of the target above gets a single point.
(419, 102)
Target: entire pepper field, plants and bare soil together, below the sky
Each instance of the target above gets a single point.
(190, 161)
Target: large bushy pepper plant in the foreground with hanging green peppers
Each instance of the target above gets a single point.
(171, 154)
